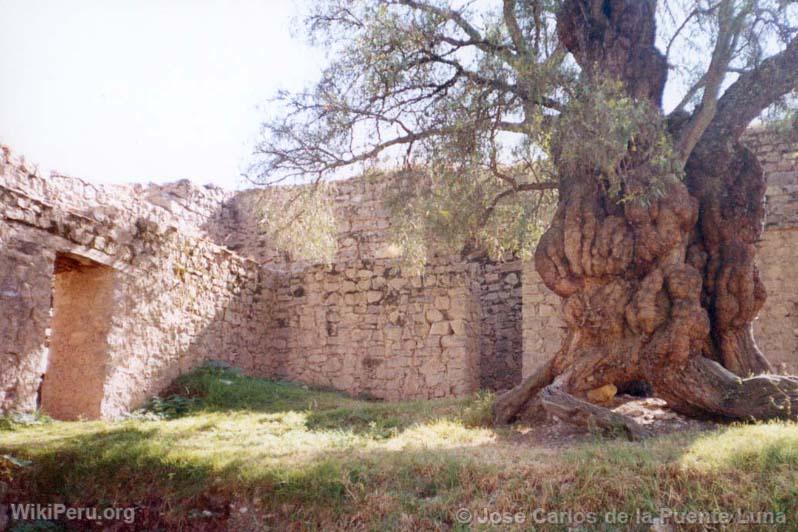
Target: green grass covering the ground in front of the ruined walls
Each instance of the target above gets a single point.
(229, 451)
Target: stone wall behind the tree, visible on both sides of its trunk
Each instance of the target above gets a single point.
(776, 327)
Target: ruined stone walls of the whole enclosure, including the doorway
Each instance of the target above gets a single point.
(107, 293)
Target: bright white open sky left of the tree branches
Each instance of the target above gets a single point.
(118, 91)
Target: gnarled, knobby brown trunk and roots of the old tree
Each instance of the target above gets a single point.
(663, 291)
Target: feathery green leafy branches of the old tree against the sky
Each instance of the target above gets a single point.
(492, 103)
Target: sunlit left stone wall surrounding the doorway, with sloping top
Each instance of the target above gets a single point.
(178, 298)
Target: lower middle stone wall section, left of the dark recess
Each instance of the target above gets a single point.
(364, 327)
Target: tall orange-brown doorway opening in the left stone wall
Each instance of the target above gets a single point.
(72, 387)
